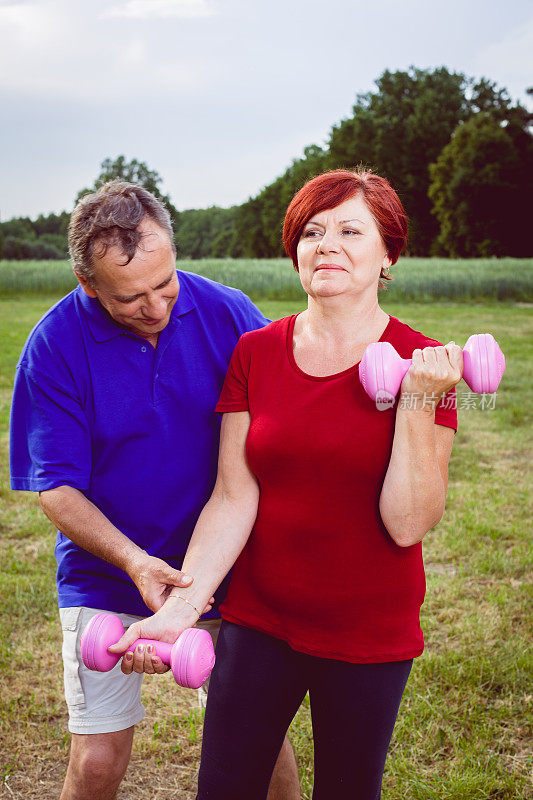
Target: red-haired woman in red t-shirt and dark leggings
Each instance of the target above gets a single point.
(328, 498)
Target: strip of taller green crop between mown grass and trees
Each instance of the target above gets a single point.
(414, 278)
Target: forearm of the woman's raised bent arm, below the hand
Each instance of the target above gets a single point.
(413, 495)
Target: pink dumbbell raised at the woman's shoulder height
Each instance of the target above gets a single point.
(382, 370)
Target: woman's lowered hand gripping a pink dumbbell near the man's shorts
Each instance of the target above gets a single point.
(164, 626)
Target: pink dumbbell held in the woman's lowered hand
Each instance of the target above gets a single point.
(191, 657)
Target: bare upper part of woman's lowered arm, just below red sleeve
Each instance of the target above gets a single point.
(235, 479)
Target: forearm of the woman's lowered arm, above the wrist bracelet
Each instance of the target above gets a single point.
(220, 534)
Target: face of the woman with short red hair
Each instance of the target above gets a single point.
(341, 251)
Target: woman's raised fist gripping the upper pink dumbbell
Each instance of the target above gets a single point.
(433, 372)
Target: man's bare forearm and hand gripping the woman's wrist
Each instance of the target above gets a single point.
(82, 522)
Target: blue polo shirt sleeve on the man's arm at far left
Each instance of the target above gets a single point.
(50, 443)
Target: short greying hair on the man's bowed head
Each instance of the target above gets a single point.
(111, 216)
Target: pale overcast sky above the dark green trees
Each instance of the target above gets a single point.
(217, 95)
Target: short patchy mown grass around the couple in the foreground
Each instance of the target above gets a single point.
(463, 732)
